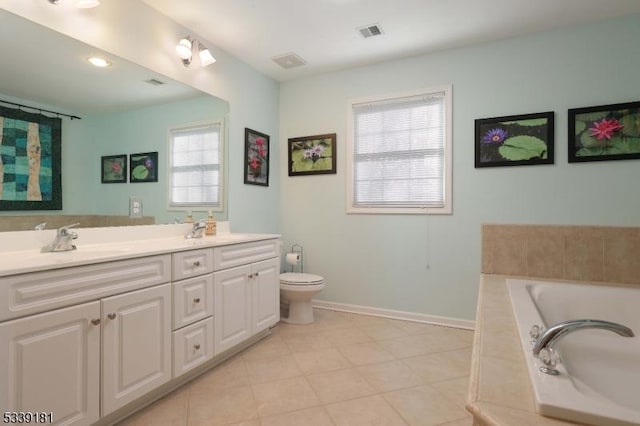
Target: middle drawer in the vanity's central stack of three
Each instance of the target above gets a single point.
(192, 300)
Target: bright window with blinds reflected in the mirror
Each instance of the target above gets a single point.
(196, 167)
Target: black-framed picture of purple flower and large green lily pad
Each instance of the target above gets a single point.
(514, 140)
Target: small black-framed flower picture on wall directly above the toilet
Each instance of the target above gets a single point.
(312, 155)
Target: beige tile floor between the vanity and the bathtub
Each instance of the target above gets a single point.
(344, 369)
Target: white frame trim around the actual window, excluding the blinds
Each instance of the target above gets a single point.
(447, 208)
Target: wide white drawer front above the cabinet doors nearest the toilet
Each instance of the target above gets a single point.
(242, 254)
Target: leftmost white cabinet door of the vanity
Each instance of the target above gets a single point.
(50, 362)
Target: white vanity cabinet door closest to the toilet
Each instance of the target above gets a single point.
(265, 283)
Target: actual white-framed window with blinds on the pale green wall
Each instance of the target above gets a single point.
(399, 154)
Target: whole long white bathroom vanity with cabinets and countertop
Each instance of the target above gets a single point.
(91, 335)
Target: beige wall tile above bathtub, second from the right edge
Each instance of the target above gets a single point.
(584, 258)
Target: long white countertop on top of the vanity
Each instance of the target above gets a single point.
(96, 245)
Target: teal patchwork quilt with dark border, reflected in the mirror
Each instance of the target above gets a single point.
(30, 159)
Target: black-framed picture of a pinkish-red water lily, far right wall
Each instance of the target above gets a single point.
(607, 132)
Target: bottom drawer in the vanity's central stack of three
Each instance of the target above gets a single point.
(192, 346)
